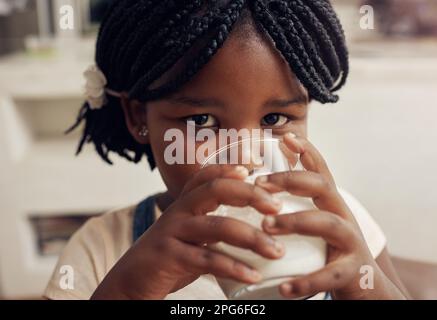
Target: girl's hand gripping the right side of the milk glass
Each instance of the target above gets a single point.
(334, 222)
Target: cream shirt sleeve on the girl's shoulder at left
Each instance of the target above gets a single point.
(79, 268)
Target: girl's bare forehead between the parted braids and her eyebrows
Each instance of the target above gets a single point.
(253, 65)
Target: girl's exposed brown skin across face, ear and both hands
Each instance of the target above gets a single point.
(241, 85)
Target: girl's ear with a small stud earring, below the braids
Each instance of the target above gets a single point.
(135, 114)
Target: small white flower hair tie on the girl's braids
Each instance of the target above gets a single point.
(95, 87)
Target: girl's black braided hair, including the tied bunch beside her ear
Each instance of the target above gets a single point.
(141, 41)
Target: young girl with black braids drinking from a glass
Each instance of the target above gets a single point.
(252, 64)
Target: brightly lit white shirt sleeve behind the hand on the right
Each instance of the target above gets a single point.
(373, 234)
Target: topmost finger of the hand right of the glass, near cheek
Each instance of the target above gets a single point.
(310, 157)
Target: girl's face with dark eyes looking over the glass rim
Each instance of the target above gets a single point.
(245, 85)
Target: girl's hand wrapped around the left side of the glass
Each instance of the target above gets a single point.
(172, 253)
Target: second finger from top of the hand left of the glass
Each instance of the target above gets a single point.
(209, 196)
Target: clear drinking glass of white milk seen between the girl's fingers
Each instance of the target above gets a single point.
(303, 254)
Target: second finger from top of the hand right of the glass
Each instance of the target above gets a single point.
(306, 184)
